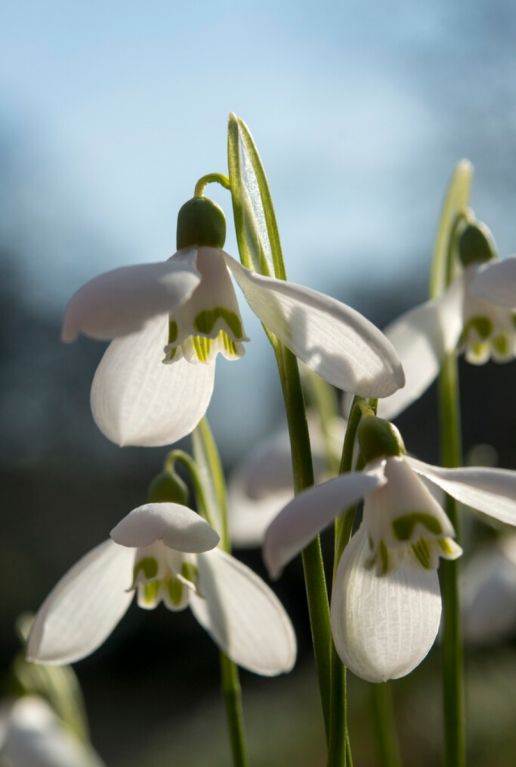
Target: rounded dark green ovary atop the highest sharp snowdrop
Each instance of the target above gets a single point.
(201, 221)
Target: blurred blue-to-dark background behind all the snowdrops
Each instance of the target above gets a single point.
(109, 113)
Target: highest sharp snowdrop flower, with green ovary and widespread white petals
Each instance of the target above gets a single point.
(184, 312)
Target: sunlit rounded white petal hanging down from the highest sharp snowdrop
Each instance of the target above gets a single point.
(137, 400)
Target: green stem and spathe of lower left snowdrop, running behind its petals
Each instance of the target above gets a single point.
(214, 497)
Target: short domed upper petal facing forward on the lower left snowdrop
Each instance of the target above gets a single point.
(177, 526)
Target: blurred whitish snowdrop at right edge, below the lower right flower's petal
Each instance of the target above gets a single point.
(488, 588)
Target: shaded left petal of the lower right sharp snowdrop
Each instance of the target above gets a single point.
(312, 510)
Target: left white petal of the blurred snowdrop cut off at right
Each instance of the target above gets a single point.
(421, 337)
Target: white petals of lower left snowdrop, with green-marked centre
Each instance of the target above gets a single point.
(164, 552)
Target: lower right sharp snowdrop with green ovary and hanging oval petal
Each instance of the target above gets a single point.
(386, 604)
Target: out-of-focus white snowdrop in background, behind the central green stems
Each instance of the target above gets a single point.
(262, 484)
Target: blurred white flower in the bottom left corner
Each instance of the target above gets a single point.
(31, 735)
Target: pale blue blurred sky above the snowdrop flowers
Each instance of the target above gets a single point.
(111, 111)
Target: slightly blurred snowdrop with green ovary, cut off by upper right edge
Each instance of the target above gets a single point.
(473, 316)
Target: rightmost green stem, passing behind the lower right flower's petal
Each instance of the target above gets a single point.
(452, 650)
